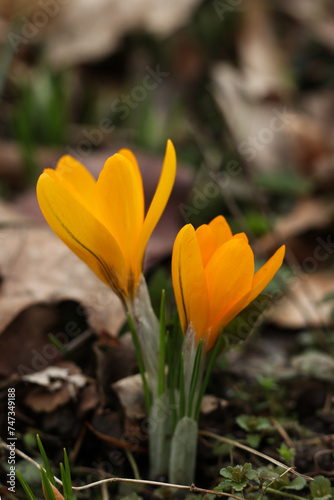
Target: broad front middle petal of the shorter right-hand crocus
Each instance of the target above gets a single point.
(229, 275)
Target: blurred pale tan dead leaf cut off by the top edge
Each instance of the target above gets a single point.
(70, 37)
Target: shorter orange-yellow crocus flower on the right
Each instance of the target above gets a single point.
(213, 277)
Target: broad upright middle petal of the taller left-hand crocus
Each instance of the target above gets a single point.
(120, 205)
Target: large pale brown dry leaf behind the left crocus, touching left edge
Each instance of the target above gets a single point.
(36, 267)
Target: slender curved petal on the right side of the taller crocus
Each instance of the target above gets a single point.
(159, 201)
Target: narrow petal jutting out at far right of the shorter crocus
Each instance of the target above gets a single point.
(261, 279)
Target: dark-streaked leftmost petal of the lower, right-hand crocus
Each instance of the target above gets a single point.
(189, 281)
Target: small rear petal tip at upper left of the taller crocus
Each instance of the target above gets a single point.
(74, 173)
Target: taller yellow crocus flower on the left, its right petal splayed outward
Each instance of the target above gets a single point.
(103, 222)
